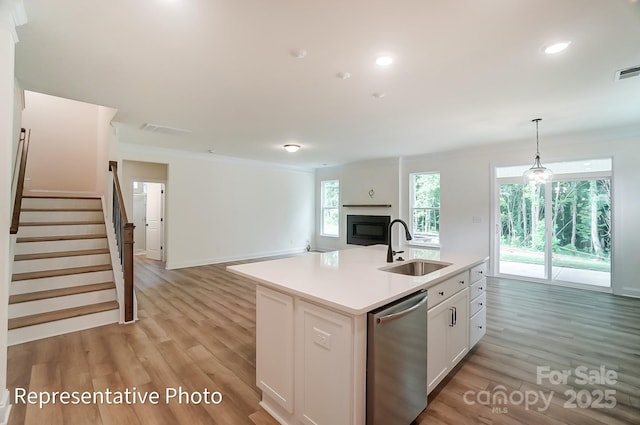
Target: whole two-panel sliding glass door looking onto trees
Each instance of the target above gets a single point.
(560, 231)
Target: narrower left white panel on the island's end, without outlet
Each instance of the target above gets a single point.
(274, 346)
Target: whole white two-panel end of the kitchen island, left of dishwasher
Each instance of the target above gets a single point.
(310, 361)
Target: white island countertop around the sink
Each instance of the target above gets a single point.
(350, 280)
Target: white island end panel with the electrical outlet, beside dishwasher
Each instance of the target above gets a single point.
(325, 368)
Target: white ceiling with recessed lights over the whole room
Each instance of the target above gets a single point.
(466, 72)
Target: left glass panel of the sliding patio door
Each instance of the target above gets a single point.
(523, 238)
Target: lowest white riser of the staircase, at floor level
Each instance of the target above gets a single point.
(45, 330)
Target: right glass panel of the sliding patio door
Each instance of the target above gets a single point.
(581, 239)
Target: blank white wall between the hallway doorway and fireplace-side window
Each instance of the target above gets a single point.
(219, 209)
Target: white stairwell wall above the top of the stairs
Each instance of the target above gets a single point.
(69, 146)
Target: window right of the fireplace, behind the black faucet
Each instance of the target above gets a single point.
(425, 208)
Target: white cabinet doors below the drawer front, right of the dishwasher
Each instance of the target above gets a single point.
(447, 336)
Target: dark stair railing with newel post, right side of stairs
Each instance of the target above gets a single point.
(124, 238)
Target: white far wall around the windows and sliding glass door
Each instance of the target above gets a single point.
(466, 192)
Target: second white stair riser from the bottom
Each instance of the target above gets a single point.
(60, 303)
